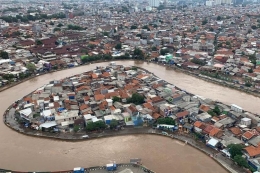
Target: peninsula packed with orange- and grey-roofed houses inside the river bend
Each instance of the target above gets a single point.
(118, 97)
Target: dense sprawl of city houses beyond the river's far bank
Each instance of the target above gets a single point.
(221, 43)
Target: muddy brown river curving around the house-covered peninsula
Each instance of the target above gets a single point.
(163, 155)
